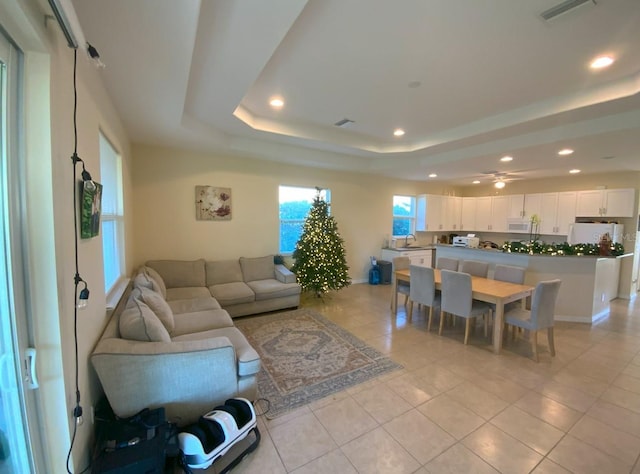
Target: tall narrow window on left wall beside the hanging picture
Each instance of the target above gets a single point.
(112, 216)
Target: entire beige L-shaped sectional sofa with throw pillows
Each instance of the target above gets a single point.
(172, 343)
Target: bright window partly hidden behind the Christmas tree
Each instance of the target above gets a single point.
(294, 207)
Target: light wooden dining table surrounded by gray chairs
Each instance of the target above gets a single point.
(483, 289)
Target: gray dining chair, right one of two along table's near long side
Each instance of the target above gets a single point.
(457, 299)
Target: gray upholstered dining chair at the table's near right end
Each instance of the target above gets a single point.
(540, 317)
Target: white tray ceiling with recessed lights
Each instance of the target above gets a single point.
(494, 79)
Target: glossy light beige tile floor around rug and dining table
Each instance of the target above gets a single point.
(462, 409)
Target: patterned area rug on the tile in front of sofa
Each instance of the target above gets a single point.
(306, 357)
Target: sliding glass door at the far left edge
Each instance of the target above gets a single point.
(15, 445)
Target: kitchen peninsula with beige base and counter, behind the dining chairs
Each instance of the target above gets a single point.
(589, 283)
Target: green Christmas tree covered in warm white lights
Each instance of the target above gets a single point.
(319, 256)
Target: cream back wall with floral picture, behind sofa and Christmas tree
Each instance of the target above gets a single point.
(164, 202)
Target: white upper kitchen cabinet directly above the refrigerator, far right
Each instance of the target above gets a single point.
(605, 203)
